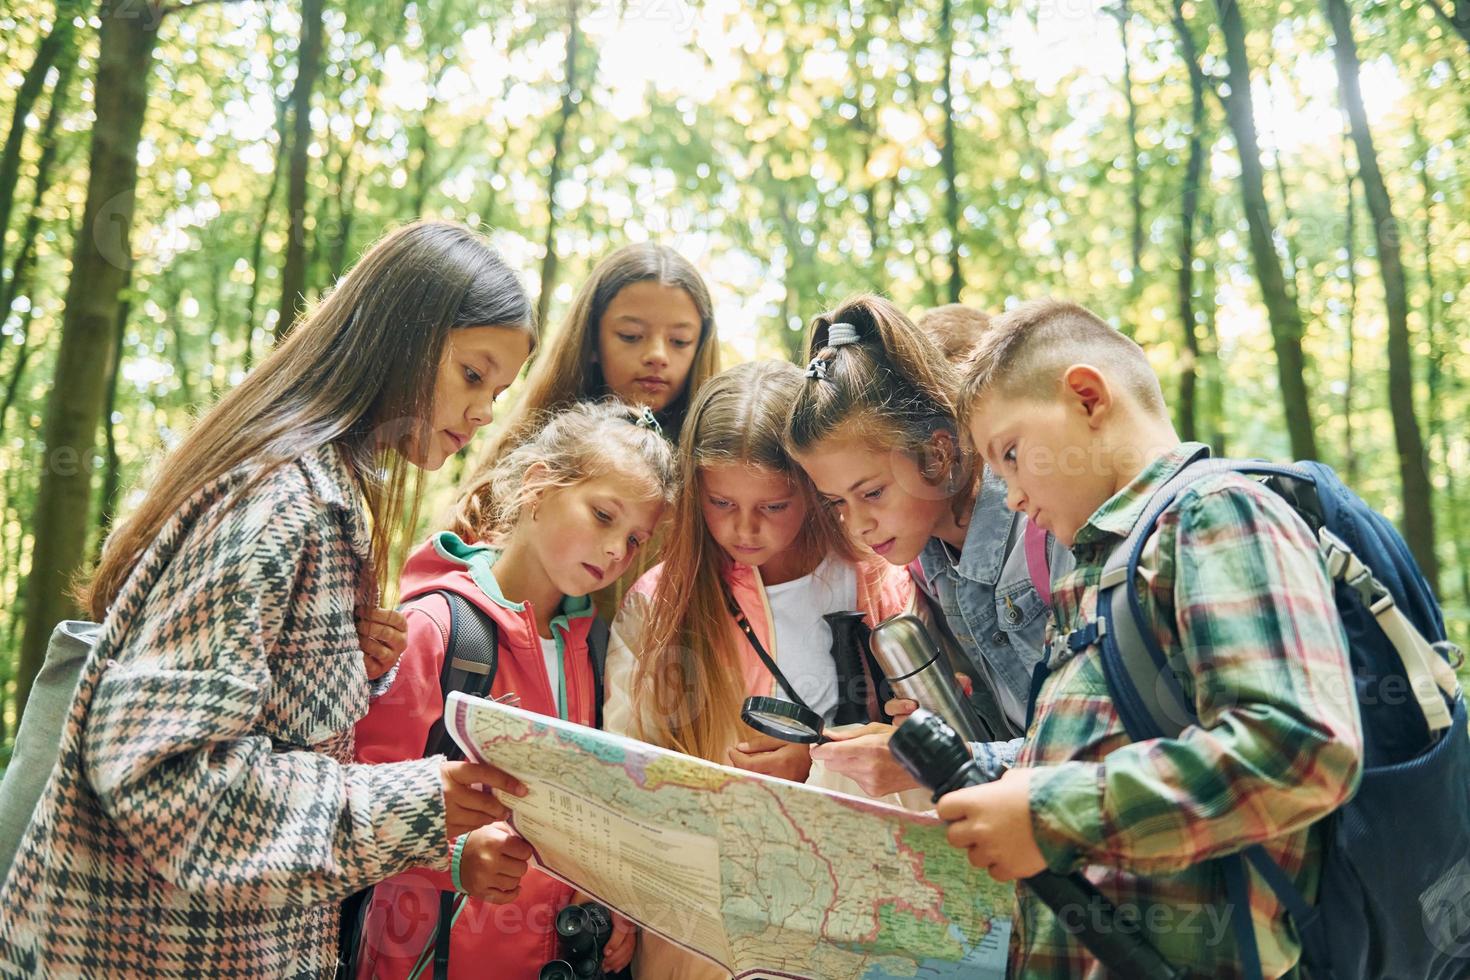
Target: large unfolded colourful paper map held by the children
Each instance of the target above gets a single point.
(762, 876)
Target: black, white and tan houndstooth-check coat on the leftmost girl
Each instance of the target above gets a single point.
(205, 818)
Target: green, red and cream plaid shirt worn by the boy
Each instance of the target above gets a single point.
(1244, 610)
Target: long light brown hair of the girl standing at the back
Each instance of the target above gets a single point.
(568, 372)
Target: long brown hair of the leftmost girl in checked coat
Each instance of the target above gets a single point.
(359, 372)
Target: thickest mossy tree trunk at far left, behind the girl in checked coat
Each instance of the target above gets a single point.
(101, 262)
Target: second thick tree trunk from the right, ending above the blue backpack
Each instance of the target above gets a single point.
(1286, 318)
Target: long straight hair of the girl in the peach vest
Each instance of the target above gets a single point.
(687, 655)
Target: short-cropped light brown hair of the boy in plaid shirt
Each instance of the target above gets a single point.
(1027, 350)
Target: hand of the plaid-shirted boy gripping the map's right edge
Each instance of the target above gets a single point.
(993, 822)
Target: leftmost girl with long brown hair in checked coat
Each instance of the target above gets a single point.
(205, 813)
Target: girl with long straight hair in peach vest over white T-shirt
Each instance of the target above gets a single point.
(746, 530)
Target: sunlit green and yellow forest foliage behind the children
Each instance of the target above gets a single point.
(793, 152)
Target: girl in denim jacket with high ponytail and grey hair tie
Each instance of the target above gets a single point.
(877, 428)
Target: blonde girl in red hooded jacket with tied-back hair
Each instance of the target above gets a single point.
(571, 509)
